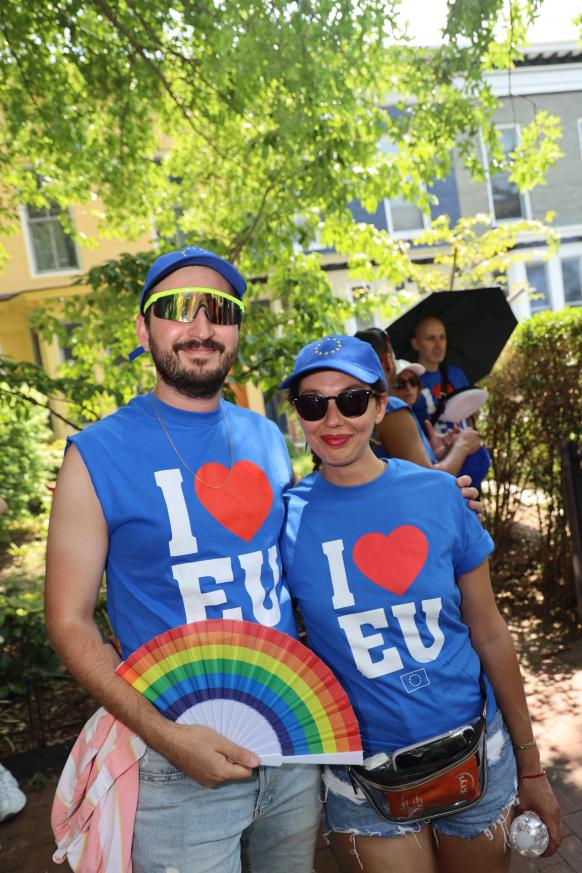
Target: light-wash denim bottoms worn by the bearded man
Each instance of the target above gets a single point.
(266, 823)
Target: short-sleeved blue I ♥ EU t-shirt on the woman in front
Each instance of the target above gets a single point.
(374, 570)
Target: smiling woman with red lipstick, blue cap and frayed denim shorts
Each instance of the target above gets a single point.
(389, 570)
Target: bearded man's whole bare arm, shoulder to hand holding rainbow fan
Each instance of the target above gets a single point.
(76, 556)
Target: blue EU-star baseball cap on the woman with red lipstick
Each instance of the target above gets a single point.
(337, 352)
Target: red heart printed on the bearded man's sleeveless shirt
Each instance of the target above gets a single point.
(239, 498)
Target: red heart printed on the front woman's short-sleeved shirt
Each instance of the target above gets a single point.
(393, 562)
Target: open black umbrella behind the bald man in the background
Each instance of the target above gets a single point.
(478, 322)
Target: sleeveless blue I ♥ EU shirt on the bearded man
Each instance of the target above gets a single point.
(183, 549)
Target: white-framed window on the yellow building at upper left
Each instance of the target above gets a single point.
(52, 248)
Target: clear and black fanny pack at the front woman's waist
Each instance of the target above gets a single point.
(440, 776)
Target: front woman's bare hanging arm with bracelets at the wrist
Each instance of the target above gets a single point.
(492, 641)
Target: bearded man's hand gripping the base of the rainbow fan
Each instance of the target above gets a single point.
(206, 756)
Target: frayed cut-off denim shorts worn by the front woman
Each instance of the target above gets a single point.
(348, 812)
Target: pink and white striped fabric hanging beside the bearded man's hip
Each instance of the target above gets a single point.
(93, 811)
